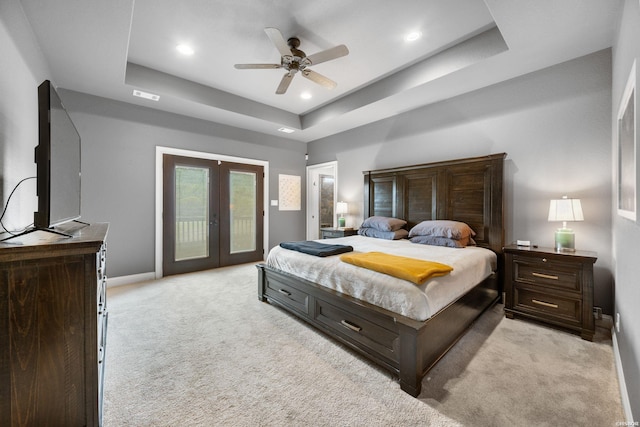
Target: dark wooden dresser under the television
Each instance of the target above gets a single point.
(53, 323)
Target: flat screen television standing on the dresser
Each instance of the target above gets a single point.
(57, 159)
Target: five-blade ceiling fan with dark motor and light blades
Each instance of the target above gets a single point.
(294, 60)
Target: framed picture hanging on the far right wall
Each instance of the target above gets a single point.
(627, 150)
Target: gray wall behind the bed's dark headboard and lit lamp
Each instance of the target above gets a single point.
(554, 126)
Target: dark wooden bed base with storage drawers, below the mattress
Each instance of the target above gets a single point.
(405, 347)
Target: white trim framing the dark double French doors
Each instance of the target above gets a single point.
(160, 151)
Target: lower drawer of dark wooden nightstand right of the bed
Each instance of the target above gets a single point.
(562, 308)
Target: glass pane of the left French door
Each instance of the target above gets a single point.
(192, 212)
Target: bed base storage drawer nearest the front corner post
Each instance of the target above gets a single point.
(379, 335)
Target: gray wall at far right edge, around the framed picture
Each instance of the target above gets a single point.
(626, 233)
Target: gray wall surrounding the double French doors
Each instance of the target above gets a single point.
(118, 170)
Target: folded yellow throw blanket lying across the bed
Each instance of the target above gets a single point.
(411, 269)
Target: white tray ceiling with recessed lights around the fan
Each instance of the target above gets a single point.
(109, 48)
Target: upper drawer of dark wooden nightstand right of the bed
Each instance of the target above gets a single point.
(542, 271)
